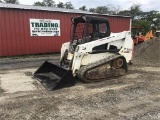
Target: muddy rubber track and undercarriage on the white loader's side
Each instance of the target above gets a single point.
(112, 67)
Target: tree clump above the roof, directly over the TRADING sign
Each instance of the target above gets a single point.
(49, 3)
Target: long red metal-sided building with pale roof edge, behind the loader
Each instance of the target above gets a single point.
(15, 38)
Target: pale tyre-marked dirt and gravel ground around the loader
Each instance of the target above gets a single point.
(135, 96)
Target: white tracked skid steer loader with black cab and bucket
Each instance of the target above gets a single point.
(93, 54)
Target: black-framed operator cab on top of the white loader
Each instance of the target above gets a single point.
(88, 28)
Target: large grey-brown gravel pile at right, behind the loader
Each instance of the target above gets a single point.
(148, 53)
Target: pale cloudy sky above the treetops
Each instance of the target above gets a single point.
(146, 5)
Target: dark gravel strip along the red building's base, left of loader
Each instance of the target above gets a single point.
(25, 62)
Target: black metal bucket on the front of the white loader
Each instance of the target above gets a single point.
(54, 77)
